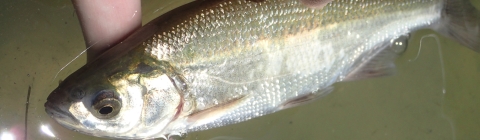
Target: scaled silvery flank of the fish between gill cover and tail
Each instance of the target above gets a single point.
(291, 19)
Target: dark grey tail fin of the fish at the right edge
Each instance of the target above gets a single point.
(461, 21)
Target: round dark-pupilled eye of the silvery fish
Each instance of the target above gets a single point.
(106, 104)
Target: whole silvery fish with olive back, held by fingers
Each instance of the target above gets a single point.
(212, 63)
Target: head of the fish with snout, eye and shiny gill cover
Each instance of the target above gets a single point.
(120, 100)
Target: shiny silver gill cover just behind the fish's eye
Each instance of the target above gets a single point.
(161, 94)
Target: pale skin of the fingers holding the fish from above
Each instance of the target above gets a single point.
(106, 23)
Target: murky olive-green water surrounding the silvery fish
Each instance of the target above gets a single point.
(37, 38)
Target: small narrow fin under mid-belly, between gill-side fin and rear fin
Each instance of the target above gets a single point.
(304, 99)
